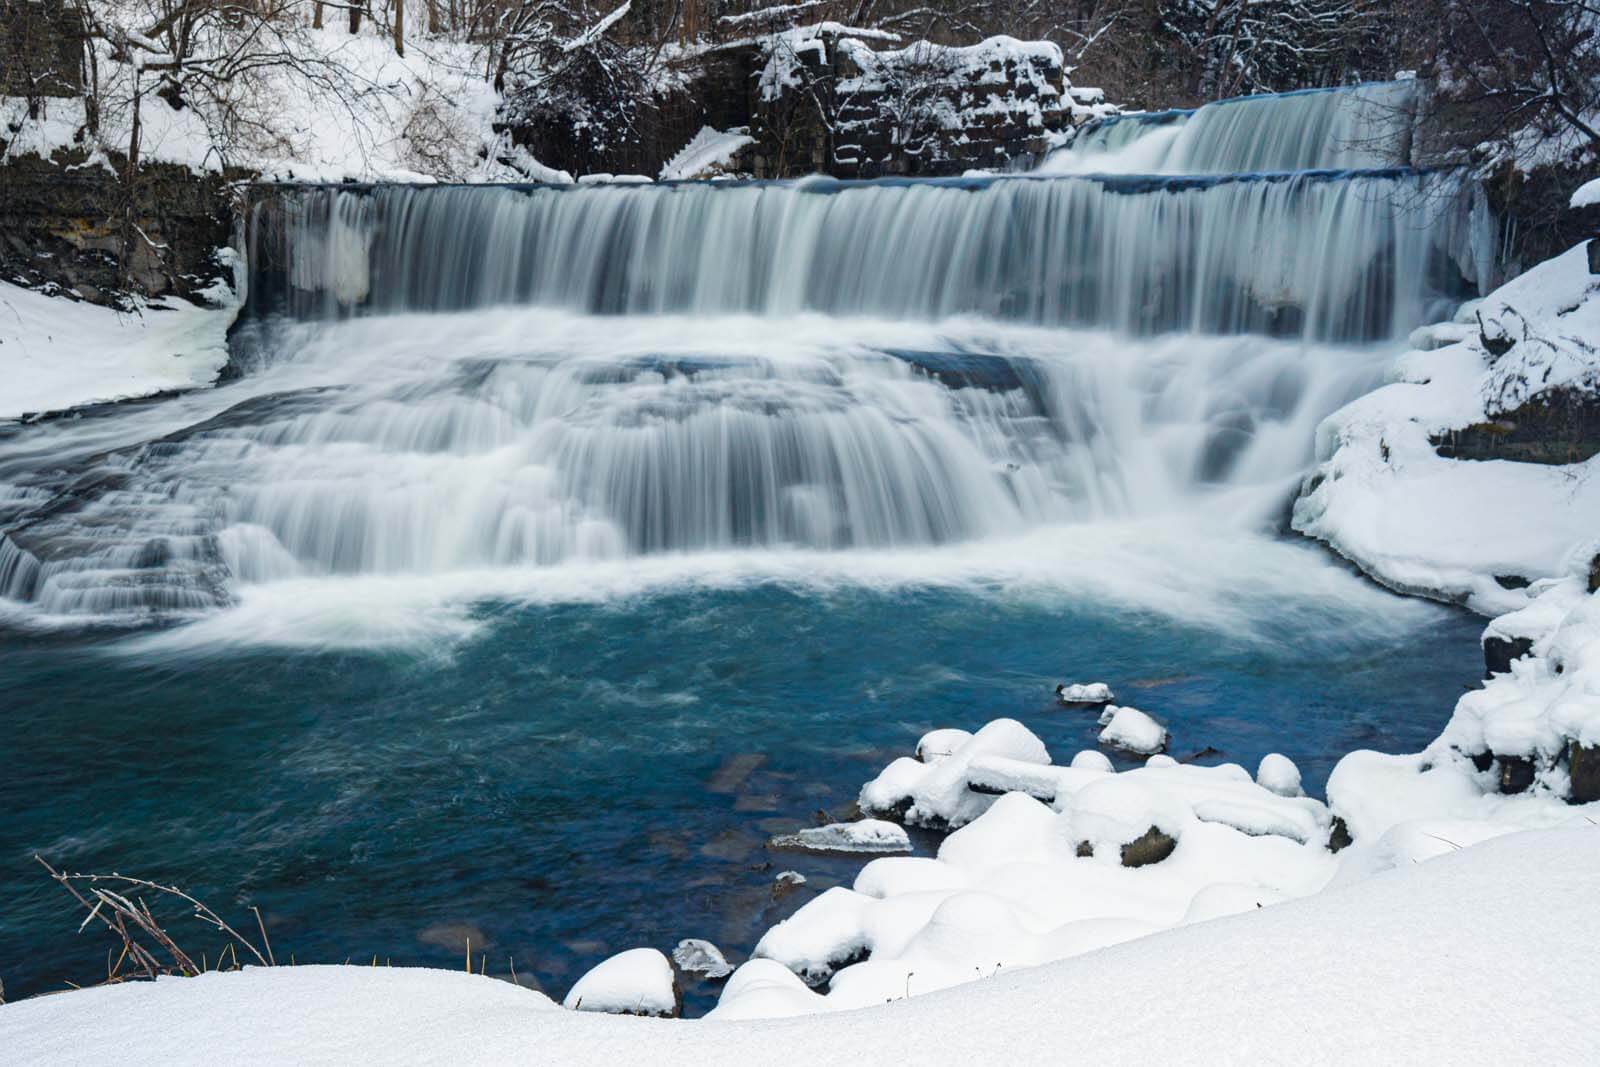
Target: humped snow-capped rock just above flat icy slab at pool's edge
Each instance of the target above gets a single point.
(937, 796)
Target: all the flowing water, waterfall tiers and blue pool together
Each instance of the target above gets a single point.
(559, 545)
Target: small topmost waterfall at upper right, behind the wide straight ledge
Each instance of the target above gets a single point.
(1351, 129)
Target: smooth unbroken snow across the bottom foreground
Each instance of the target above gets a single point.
(1431, 962)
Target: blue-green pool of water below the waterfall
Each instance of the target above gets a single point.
(548, 781)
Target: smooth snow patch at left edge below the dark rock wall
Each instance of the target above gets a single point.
(58, 354)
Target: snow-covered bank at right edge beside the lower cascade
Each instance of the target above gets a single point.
(1447, 527)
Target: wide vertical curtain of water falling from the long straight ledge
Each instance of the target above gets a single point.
(1319, 257)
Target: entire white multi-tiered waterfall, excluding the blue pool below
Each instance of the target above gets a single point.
(519, 380)
